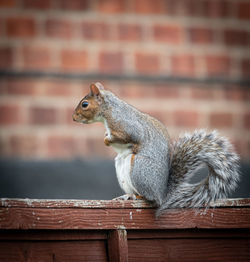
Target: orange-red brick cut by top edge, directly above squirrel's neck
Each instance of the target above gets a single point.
(111, 6)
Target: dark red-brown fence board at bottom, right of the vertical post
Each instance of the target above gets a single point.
(189, 250)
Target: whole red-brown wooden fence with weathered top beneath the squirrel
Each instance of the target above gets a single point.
(92, 230)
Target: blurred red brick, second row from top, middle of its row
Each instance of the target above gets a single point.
(129, 32)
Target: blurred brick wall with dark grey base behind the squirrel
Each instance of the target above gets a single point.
(186, 62)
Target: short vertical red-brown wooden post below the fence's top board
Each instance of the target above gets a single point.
(118, 246)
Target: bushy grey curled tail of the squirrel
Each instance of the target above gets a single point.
(189, 153)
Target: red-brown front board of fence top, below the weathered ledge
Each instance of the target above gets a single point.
(44, 218)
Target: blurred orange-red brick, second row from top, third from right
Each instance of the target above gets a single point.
(171, 34)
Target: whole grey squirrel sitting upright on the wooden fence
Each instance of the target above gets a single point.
(150, 165)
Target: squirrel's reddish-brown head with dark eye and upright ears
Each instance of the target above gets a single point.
(88, 110)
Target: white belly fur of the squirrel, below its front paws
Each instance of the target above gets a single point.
(123, 167)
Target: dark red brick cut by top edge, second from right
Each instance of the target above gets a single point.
(215, 8)
